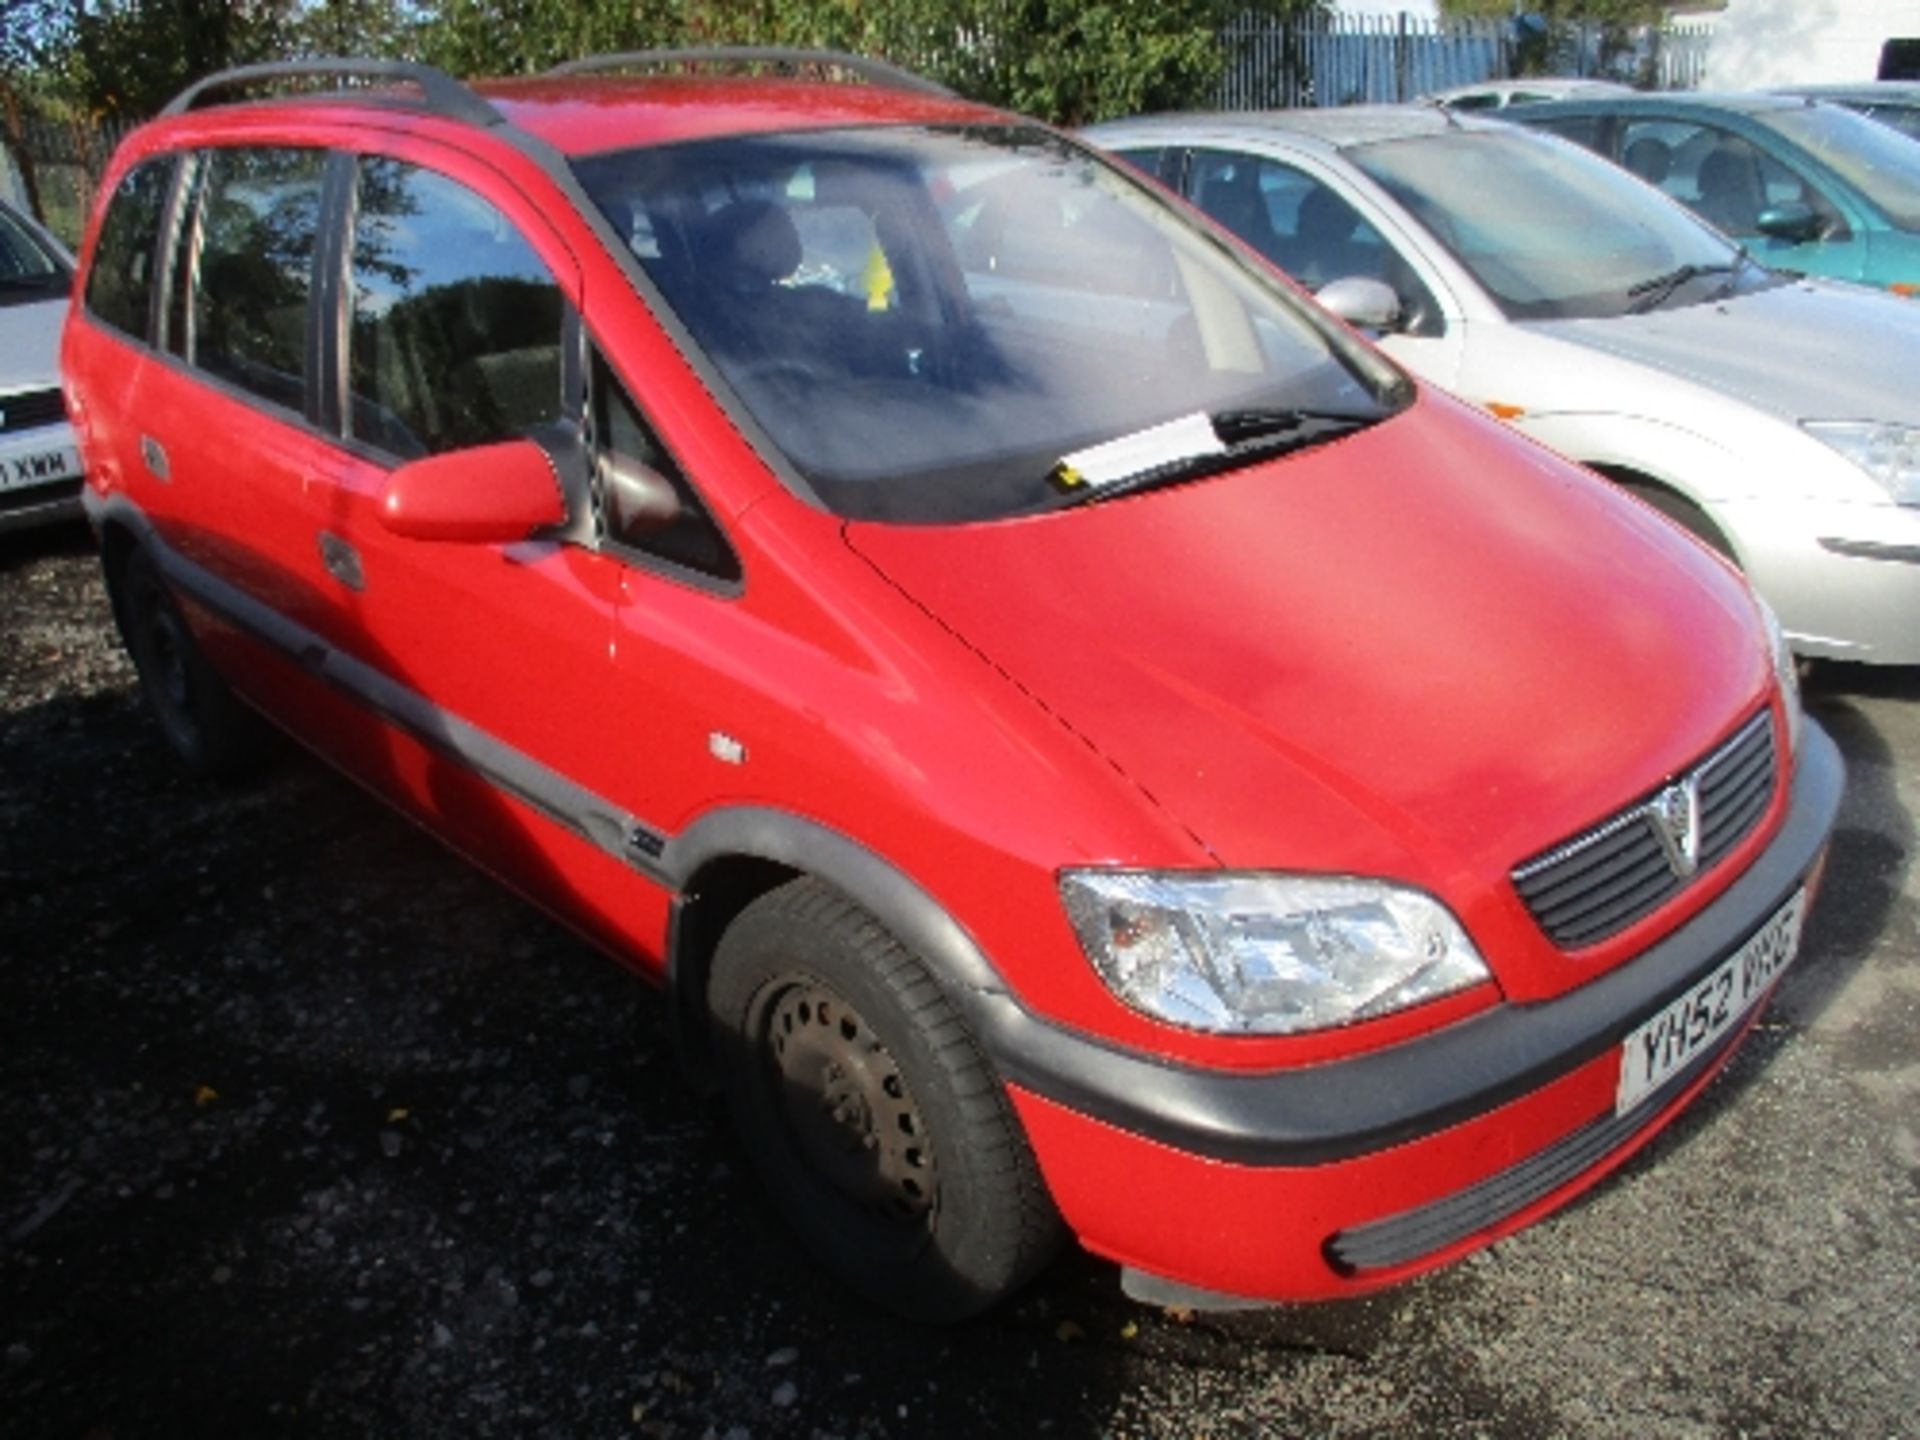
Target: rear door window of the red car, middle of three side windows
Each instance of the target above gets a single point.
(256, 229)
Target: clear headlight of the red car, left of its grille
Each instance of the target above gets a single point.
(1266, 955)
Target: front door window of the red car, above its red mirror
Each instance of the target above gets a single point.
(456, 327)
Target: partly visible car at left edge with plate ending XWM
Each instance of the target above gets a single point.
(39, 466)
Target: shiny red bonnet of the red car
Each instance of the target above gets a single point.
(1428, 650)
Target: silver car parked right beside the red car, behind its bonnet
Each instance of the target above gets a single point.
(1779, 420)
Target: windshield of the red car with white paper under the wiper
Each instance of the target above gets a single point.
(932, 325)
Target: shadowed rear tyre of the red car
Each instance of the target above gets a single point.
(203, 721)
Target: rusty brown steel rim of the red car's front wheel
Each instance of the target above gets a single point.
(846, 1107)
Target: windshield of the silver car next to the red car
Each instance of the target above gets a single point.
(1552, 231)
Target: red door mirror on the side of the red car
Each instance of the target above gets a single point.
(483, 496)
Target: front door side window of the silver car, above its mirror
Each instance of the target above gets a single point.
(1307, 229)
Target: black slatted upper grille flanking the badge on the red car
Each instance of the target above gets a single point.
(1602, 882)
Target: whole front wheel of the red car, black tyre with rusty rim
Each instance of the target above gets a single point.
(871, 1113)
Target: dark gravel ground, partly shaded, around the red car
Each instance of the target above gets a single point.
(308, 1130)
